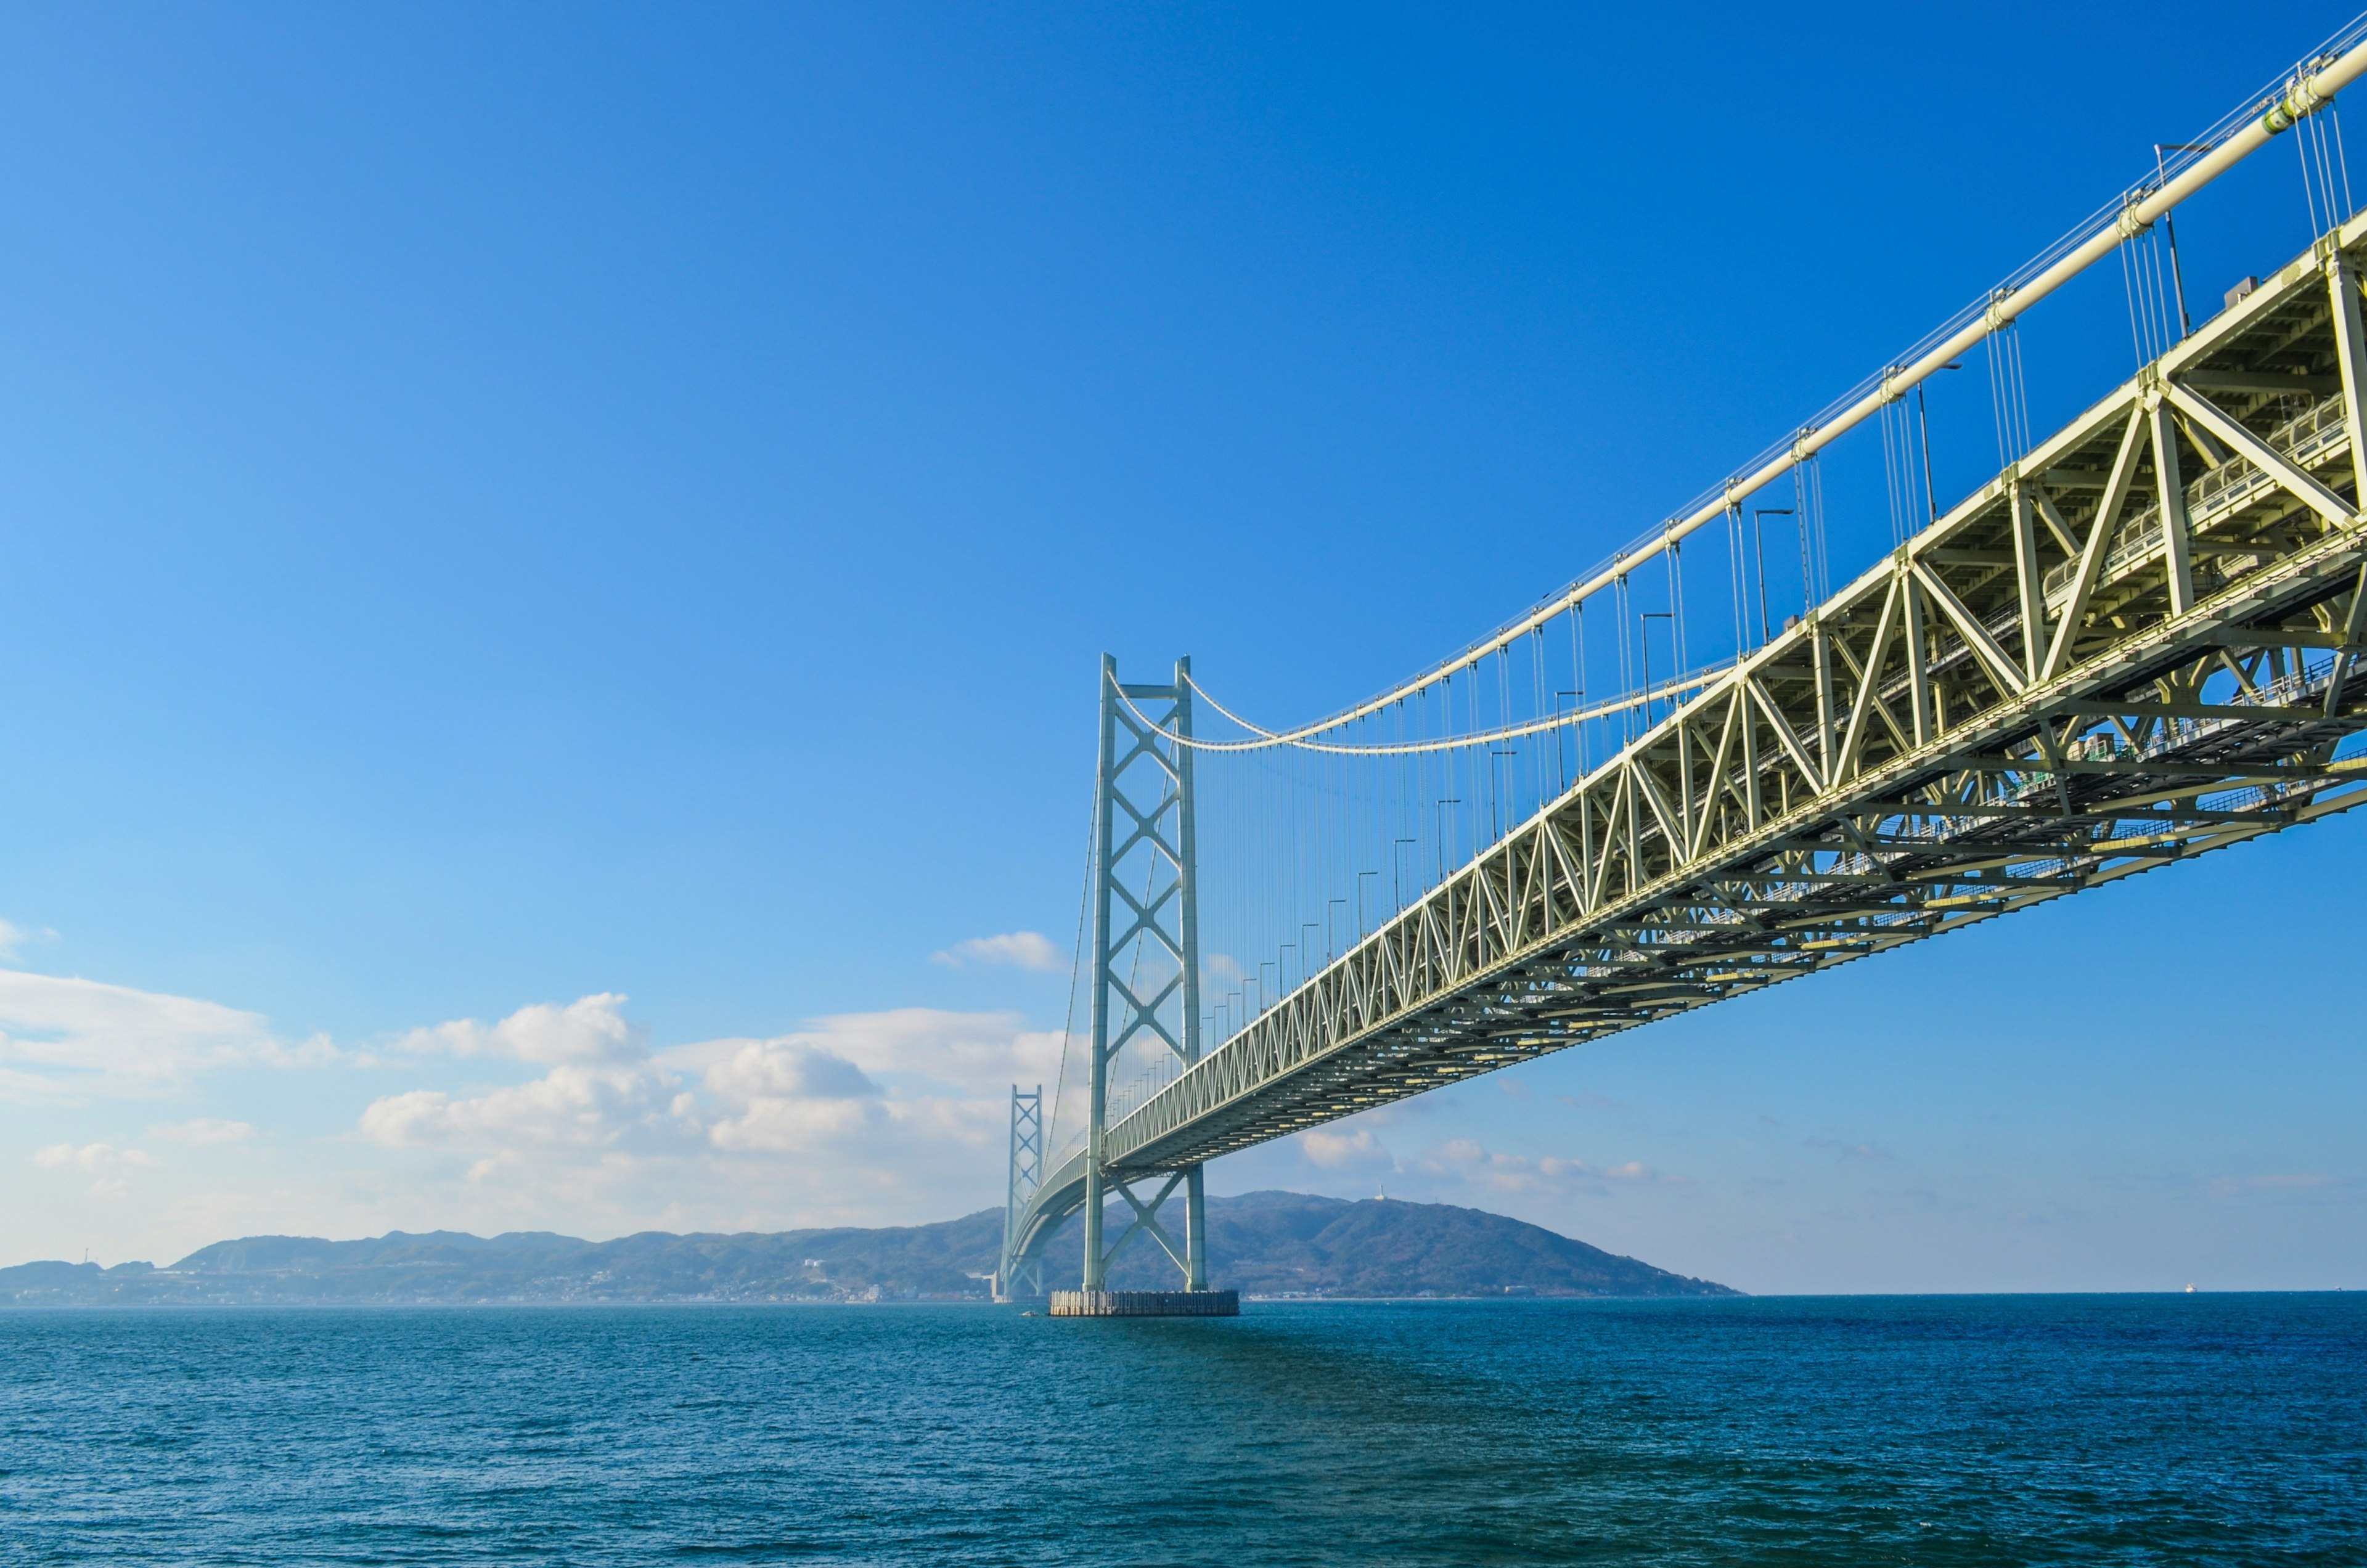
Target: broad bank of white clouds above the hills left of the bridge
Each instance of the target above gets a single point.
(555, 1117)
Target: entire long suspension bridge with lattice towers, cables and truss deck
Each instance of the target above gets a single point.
(2134, 645)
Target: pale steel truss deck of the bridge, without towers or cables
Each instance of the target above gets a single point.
(2006, 712)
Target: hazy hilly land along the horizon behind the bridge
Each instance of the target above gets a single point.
(1263, 1245)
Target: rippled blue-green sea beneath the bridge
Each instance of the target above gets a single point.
(1973, 1429)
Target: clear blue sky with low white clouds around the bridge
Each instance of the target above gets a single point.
(614, 513)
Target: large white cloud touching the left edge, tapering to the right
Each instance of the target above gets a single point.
(79, 1039)
